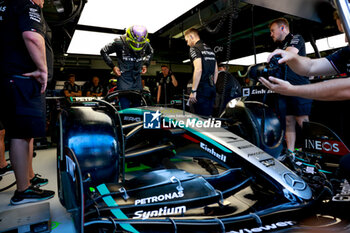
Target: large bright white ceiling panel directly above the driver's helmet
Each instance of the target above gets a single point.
(117, 14)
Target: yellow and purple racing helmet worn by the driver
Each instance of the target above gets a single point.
(136, 36)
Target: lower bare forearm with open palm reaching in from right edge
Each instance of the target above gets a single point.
(336, 89)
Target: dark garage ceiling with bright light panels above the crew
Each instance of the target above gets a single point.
(249, 17)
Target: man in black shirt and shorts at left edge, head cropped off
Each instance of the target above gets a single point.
(24, 75)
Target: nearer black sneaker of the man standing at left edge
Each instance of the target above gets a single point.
(31, 194)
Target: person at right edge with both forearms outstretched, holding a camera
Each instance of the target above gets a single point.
(332, 90)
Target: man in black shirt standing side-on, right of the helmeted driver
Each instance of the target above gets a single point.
(205, 74)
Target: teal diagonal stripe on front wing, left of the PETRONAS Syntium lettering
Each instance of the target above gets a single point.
(116, 212)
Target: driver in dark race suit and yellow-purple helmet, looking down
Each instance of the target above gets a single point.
(134, 54)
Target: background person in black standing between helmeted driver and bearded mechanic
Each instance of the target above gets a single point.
(167, 86)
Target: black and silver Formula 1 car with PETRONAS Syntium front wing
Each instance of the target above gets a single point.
(150, 169)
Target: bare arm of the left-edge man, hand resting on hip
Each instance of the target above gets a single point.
(35, 44)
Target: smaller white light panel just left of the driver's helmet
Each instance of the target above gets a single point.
(89, 43)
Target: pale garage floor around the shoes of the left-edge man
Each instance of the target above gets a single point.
(44, 164)
